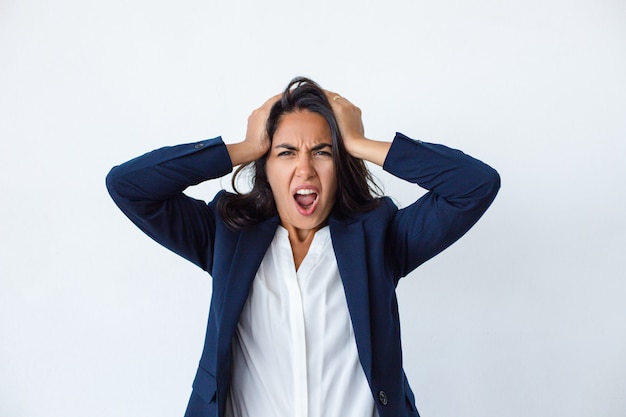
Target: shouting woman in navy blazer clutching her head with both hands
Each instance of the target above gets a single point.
(303, 318)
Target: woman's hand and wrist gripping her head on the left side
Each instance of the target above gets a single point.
(256, 143)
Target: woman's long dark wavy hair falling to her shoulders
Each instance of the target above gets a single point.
(356, 189)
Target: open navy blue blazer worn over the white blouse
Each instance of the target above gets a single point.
(373, 250)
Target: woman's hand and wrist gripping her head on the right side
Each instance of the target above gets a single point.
(351, 127)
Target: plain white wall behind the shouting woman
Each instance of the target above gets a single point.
(525, 316)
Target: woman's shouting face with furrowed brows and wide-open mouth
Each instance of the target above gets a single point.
(301, 172)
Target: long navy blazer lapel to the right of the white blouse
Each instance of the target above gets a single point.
(349, 246)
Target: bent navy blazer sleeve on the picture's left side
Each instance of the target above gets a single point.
(149, 191)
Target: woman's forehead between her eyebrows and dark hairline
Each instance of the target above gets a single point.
(302, 126)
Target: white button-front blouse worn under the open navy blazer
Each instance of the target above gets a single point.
(294, 352)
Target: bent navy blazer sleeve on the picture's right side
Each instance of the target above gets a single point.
(461, 188)
